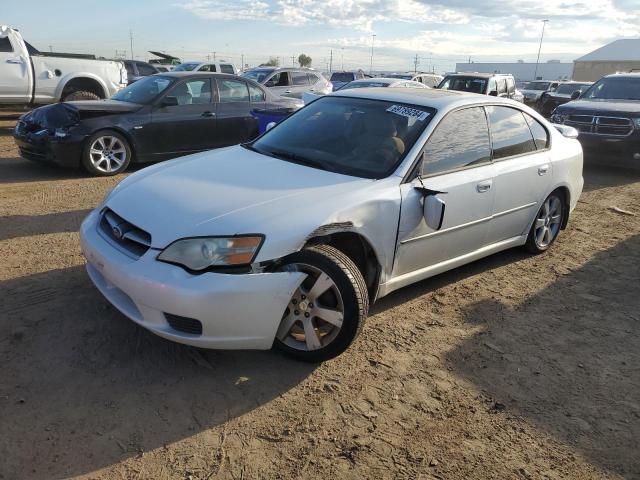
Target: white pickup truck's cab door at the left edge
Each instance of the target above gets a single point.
(14, 73)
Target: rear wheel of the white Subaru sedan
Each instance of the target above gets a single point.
(547, 224)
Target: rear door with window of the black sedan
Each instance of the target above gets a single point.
(235, 124)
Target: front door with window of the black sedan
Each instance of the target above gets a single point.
(188, 126)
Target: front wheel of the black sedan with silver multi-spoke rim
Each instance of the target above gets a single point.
(115, 157)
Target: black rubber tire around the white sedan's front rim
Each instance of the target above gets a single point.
(355, 298)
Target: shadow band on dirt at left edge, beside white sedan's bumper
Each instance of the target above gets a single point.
(15, 226)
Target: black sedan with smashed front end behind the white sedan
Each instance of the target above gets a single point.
(156, 118)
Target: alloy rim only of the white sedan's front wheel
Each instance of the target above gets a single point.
(315, 312)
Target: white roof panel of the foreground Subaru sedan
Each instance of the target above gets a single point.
(427, 97)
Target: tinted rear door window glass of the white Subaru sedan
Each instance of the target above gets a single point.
(510, 133)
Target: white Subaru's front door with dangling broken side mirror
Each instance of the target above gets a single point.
(456, 167)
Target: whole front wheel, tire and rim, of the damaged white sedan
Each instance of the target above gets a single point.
(303, 333)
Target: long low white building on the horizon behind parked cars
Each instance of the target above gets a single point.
(551, 70)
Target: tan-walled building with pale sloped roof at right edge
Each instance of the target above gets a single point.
(618, 56)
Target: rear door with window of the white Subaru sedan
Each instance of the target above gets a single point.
(520, 151)
